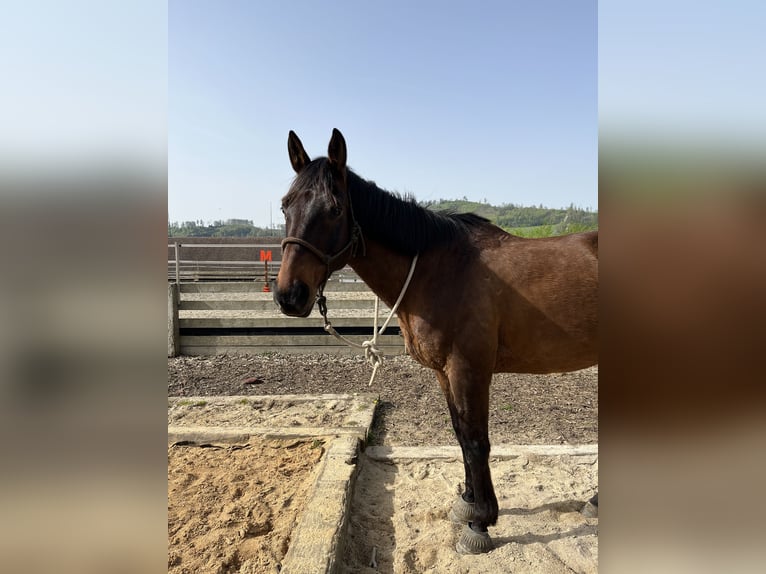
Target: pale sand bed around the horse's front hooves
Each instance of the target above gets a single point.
(400, 509)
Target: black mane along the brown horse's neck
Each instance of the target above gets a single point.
(400, 223)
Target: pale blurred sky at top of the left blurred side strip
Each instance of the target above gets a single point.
(83, 79)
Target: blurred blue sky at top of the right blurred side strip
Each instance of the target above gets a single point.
(690, 71)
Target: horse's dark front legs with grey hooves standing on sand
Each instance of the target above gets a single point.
(469, 407)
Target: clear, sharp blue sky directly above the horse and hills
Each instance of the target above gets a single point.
(492, 100)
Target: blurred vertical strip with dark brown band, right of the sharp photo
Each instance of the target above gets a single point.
(682, 182)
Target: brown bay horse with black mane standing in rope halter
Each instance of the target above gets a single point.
(480, 300)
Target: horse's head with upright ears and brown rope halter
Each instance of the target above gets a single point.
(321, 230)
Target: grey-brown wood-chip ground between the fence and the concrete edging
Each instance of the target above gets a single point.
(524, 409)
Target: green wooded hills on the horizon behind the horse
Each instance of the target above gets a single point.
(525, 221)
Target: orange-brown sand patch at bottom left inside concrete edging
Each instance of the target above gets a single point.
(225, 517)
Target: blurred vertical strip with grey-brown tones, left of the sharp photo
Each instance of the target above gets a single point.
(83, 182)
